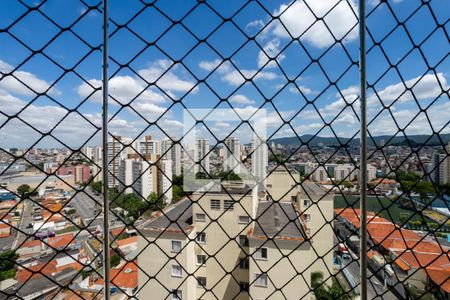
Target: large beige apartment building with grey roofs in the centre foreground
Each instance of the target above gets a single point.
(232, 243)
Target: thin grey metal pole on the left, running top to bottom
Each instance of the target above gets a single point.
(106, 264)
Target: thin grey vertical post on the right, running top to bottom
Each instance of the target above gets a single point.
(363, 151)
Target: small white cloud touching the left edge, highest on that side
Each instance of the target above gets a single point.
(23, 83)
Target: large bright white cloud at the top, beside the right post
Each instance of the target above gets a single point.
(298, 18)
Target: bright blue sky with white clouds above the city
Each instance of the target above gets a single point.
(192, 74)
